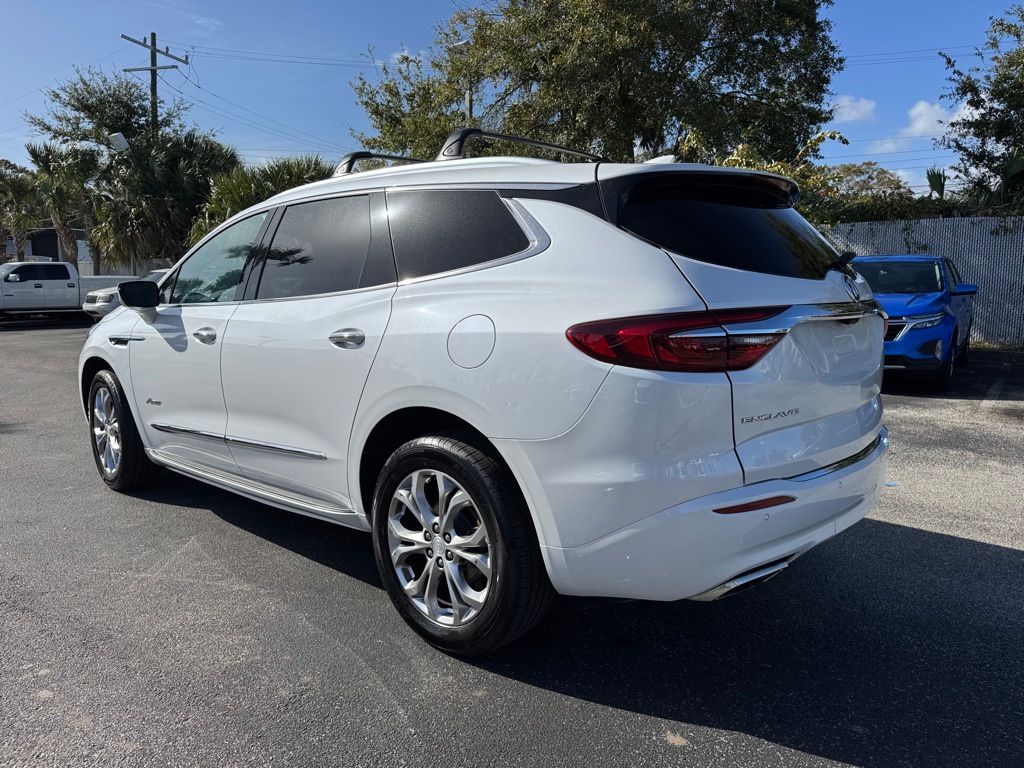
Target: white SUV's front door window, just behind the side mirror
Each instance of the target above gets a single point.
(215, 272)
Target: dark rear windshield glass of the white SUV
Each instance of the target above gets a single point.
(731, 227)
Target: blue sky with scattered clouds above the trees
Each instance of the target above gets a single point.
(888, 96)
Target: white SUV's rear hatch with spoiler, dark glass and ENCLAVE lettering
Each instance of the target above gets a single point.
(813, 400)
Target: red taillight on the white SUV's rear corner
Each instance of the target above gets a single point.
(692, 342)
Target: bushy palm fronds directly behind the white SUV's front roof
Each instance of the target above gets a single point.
(245, 187)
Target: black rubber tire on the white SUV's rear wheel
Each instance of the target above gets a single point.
(519, 590)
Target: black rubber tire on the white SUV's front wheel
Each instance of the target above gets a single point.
(135, 471)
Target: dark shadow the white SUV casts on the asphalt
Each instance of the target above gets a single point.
(886, 646)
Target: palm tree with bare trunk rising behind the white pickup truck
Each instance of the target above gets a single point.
(62, 178)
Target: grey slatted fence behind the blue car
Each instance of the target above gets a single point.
(988, 251)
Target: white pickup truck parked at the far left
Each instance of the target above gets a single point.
(46, 287)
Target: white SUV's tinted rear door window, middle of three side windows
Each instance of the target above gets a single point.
(320, 247)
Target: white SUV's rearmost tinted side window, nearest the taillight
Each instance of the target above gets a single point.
(436, 231)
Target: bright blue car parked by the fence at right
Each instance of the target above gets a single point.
(930, 311)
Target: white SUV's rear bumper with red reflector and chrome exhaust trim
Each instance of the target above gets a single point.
(691, 551)
